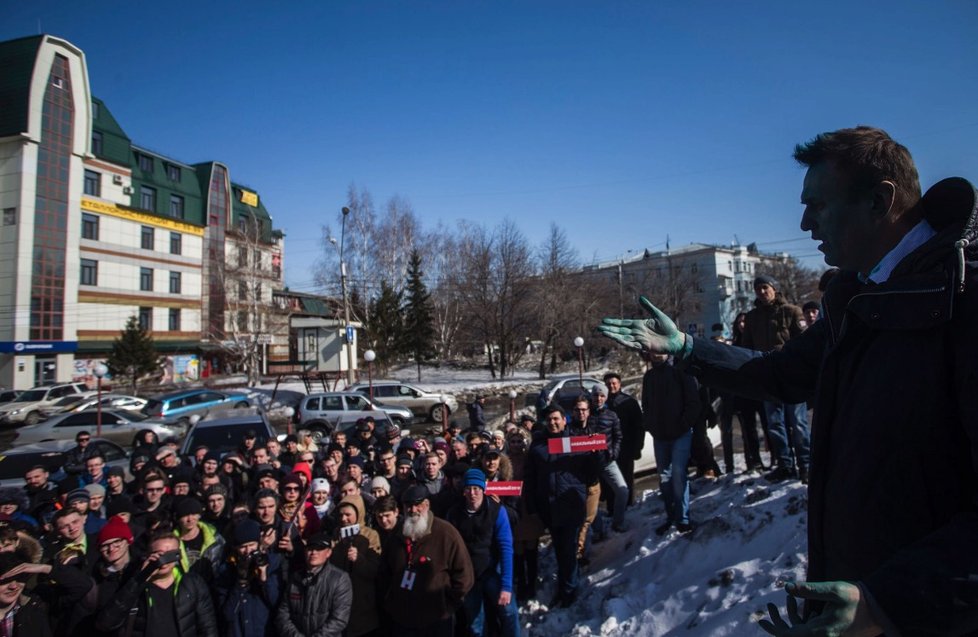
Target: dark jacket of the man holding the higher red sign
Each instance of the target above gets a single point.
(555, 485)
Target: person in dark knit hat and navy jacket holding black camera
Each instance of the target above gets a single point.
(248, 584)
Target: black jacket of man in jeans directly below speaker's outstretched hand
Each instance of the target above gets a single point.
(670, 402)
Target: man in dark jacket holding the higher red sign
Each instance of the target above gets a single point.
(556, 486)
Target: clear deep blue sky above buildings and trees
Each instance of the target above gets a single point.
(624, 122)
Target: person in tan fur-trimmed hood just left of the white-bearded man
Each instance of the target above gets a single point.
(356, 551)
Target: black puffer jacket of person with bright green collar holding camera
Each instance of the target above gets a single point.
(193, 607)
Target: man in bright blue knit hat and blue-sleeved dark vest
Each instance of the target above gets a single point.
(484, 525)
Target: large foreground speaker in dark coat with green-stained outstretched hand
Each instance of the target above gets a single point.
(892, 498)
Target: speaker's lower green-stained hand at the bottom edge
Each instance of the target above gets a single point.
(845, 612)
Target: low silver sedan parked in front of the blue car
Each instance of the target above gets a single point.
(118, 425)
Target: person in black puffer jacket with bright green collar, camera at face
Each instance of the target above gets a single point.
(160, 600)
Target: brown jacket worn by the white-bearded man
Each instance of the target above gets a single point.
(443, 576)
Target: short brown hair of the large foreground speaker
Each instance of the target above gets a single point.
(866, 156)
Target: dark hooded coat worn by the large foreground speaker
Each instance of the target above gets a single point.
(893, 497)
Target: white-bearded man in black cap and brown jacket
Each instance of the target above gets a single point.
(425, 572)
